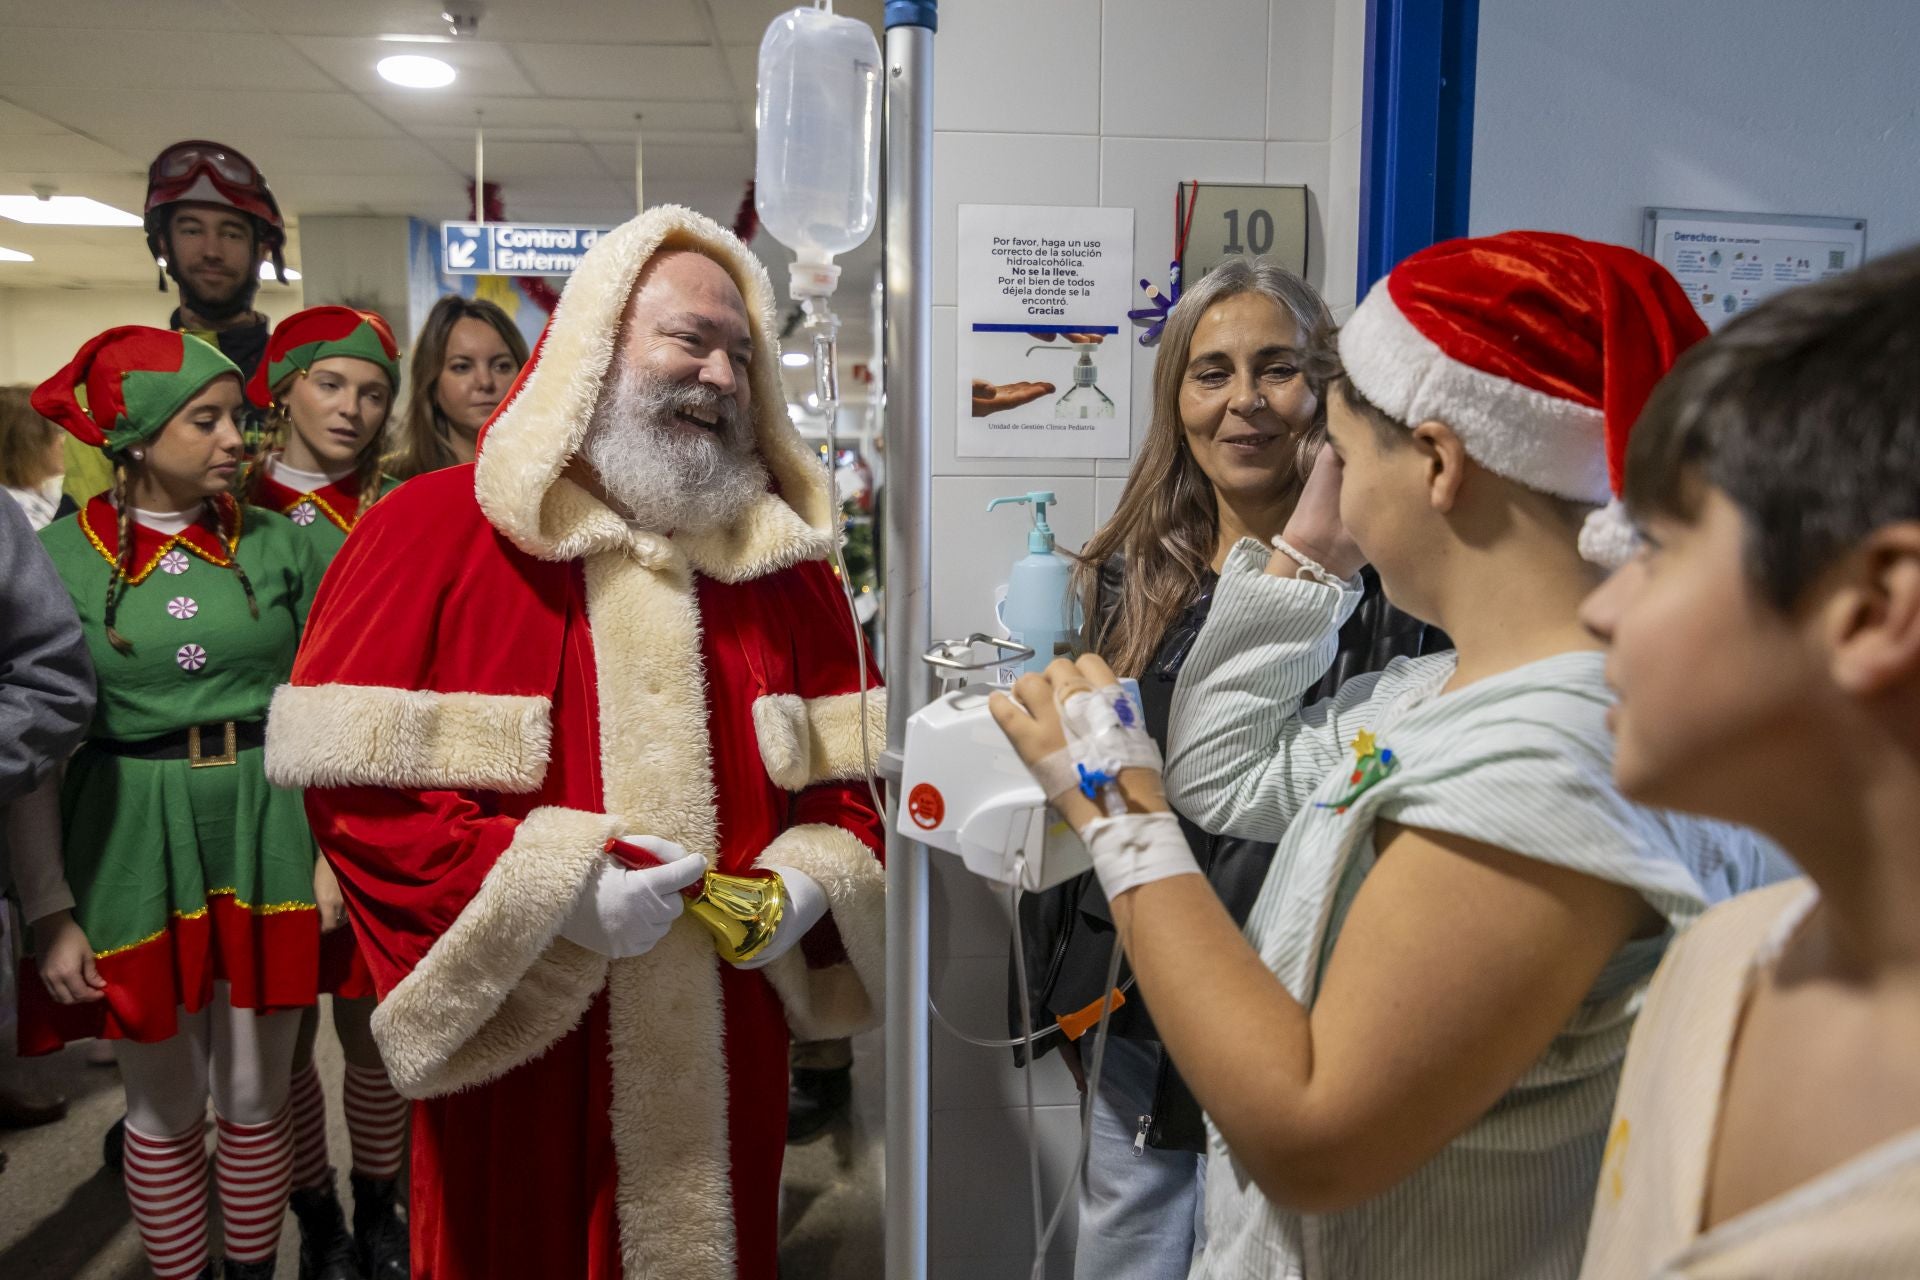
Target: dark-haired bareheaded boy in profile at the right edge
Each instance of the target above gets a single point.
(1767, 653)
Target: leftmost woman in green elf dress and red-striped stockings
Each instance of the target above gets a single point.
(178, 916)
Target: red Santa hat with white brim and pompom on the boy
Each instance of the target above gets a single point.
(1537, 348)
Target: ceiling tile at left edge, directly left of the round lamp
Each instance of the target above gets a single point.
(153, 60)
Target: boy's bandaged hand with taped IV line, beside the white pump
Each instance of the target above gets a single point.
(1086, 742)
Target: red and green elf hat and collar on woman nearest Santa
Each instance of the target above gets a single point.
(324, 511)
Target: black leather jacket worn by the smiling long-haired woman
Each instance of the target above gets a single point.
(1068, 932)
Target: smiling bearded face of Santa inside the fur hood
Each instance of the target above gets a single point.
(673, 433)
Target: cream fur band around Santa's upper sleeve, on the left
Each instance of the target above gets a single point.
(372, 736)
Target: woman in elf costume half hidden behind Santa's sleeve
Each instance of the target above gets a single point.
(329, 379)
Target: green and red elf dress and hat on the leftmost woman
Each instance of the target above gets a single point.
(187, 866)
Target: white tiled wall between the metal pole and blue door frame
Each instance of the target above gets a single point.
(1082, 103)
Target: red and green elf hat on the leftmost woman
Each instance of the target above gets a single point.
(135, 379)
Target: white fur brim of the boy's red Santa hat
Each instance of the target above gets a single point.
(1545, 442)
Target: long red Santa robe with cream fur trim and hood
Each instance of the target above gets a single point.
(502, 676)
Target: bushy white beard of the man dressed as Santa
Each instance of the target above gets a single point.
(673, 479)
